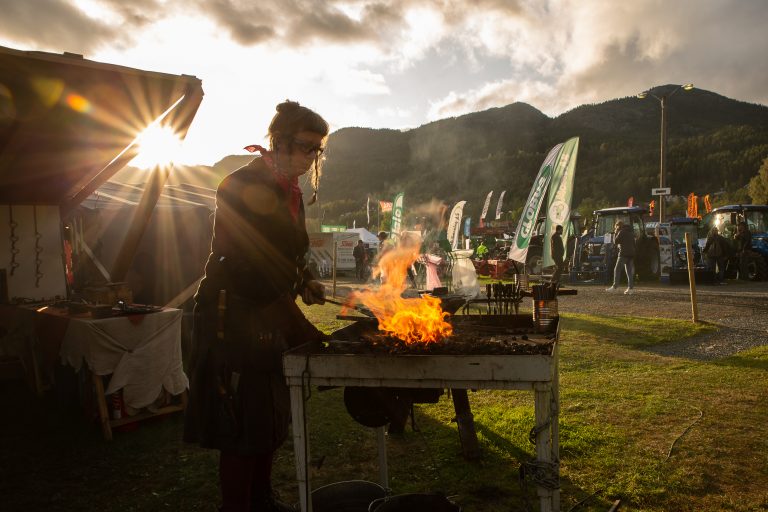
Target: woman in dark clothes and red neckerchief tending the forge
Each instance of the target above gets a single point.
(246, 315)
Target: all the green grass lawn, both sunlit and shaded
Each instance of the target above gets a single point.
(622, 409)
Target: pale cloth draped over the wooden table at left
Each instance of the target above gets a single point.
(141, 352)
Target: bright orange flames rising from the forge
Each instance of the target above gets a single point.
(413, 320)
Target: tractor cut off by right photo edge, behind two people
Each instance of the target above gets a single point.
(726, 218)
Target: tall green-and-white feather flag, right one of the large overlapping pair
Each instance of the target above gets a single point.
(560, 194)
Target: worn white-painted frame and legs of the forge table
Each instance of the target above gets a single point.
(308, 365)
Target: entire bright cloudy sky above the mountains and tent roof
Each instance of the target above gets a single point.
(402, 63)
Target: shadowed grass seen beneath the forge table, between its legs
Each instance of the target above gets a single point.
(430, 459)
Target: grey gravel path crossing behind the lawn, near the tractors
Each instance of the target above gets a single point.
(740, 308)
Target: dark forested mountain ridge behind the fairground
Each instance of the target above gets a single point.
(714, 143)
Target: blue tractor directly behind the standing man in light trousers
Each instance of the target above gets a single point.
(594, 256)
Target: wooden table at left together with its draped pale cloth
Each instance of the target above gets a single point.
(140, 355)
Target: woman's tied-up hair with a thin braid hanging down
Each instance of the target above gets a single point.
(291, 119)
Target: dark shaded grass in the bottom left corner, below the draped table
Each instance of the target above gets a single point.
(54, 458)
